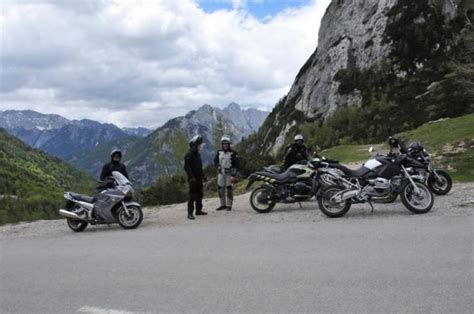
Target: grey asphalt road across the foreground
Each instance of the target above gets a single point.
(371, 263)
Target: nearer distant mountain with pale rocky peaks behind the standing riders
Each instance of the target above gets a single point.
(162, 151)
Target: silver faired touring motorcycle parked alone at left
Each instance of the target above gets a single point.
(110, 206)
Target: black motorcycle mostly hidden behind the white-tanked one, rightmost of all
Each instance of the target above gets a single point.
(439, 181)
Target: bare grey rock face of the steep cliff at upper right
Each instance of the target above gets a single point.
(352, 36)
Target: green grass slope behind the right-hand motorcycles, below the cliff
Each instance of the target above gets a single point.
(451, 142)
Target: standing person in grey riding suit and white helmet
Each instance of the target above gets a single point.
(227, 164)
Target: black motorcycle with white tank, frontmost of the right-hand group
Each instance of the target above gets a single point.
(379, 177)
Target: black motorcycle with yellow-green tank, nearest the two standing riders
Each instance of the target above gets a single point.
(296, 184)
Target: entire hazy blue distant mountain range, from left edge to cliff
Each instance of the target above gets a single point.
(148, 154)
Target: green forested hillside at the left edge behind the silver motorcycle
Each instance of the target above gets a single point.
(32, 183)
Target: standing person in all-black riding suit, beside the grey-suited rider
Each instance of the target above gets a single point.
(196, 177)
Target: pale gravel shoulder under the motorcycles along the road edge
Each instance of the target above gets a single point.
(459, 202)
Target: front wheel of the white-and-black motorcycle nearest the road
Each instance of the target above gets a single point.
(419, 202)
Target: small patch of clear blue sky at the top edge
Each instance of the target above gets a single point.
(259, 8)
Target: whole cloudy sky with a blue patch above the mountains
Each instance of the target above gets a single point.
(143, 62)
